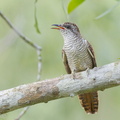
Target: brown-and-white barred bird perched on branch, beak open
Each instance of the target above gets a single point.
(78, 56)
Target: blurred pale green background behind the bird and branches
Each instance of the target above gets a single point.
(18, 60)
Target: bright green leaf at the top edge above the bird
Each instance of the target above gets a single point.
(74, 4)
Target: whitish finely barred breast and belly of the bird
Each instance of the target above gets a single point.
(77, 54)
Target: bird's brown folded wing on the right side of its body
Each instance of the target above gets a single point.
(91, 52)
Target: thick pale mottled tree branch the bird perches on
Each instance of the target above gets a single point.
(95, 79)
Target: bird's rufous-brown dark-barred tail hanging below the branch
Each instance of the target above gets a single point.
(89, 101)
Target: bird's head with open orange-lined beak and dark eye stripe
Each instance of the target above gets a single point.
(67, 29)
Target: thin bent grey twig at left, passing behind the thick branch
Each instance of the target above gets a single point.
(28, 41)
